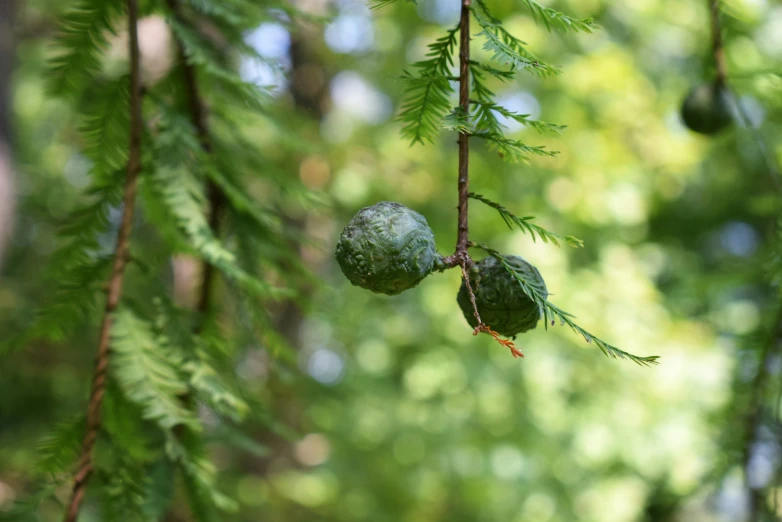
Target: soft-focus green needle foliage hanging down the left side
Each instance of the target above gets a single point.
(164, 361)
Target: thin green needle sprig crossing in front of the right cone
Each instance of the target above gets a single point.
(552, 313)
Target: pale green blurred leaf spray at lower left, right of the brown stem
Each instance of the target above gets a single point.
(156, 371)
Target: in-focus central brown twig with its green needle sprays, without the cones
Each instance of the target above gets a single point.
(425, 111)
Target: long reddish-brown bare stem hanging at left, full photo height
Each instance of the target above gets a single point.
(121, 253)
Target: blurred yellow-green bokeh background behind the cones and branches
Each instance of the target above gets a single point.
(391, 410)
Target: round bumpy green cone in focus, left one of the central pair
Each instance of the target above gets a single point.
(386, 248)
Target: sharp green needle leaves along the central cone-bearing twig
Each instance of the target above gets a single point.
(421, 114)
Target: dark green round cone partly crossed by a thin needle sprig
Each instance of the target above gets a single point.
(502, 304)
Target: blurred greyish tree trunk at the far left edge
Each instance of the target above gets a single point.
(7, 12)
